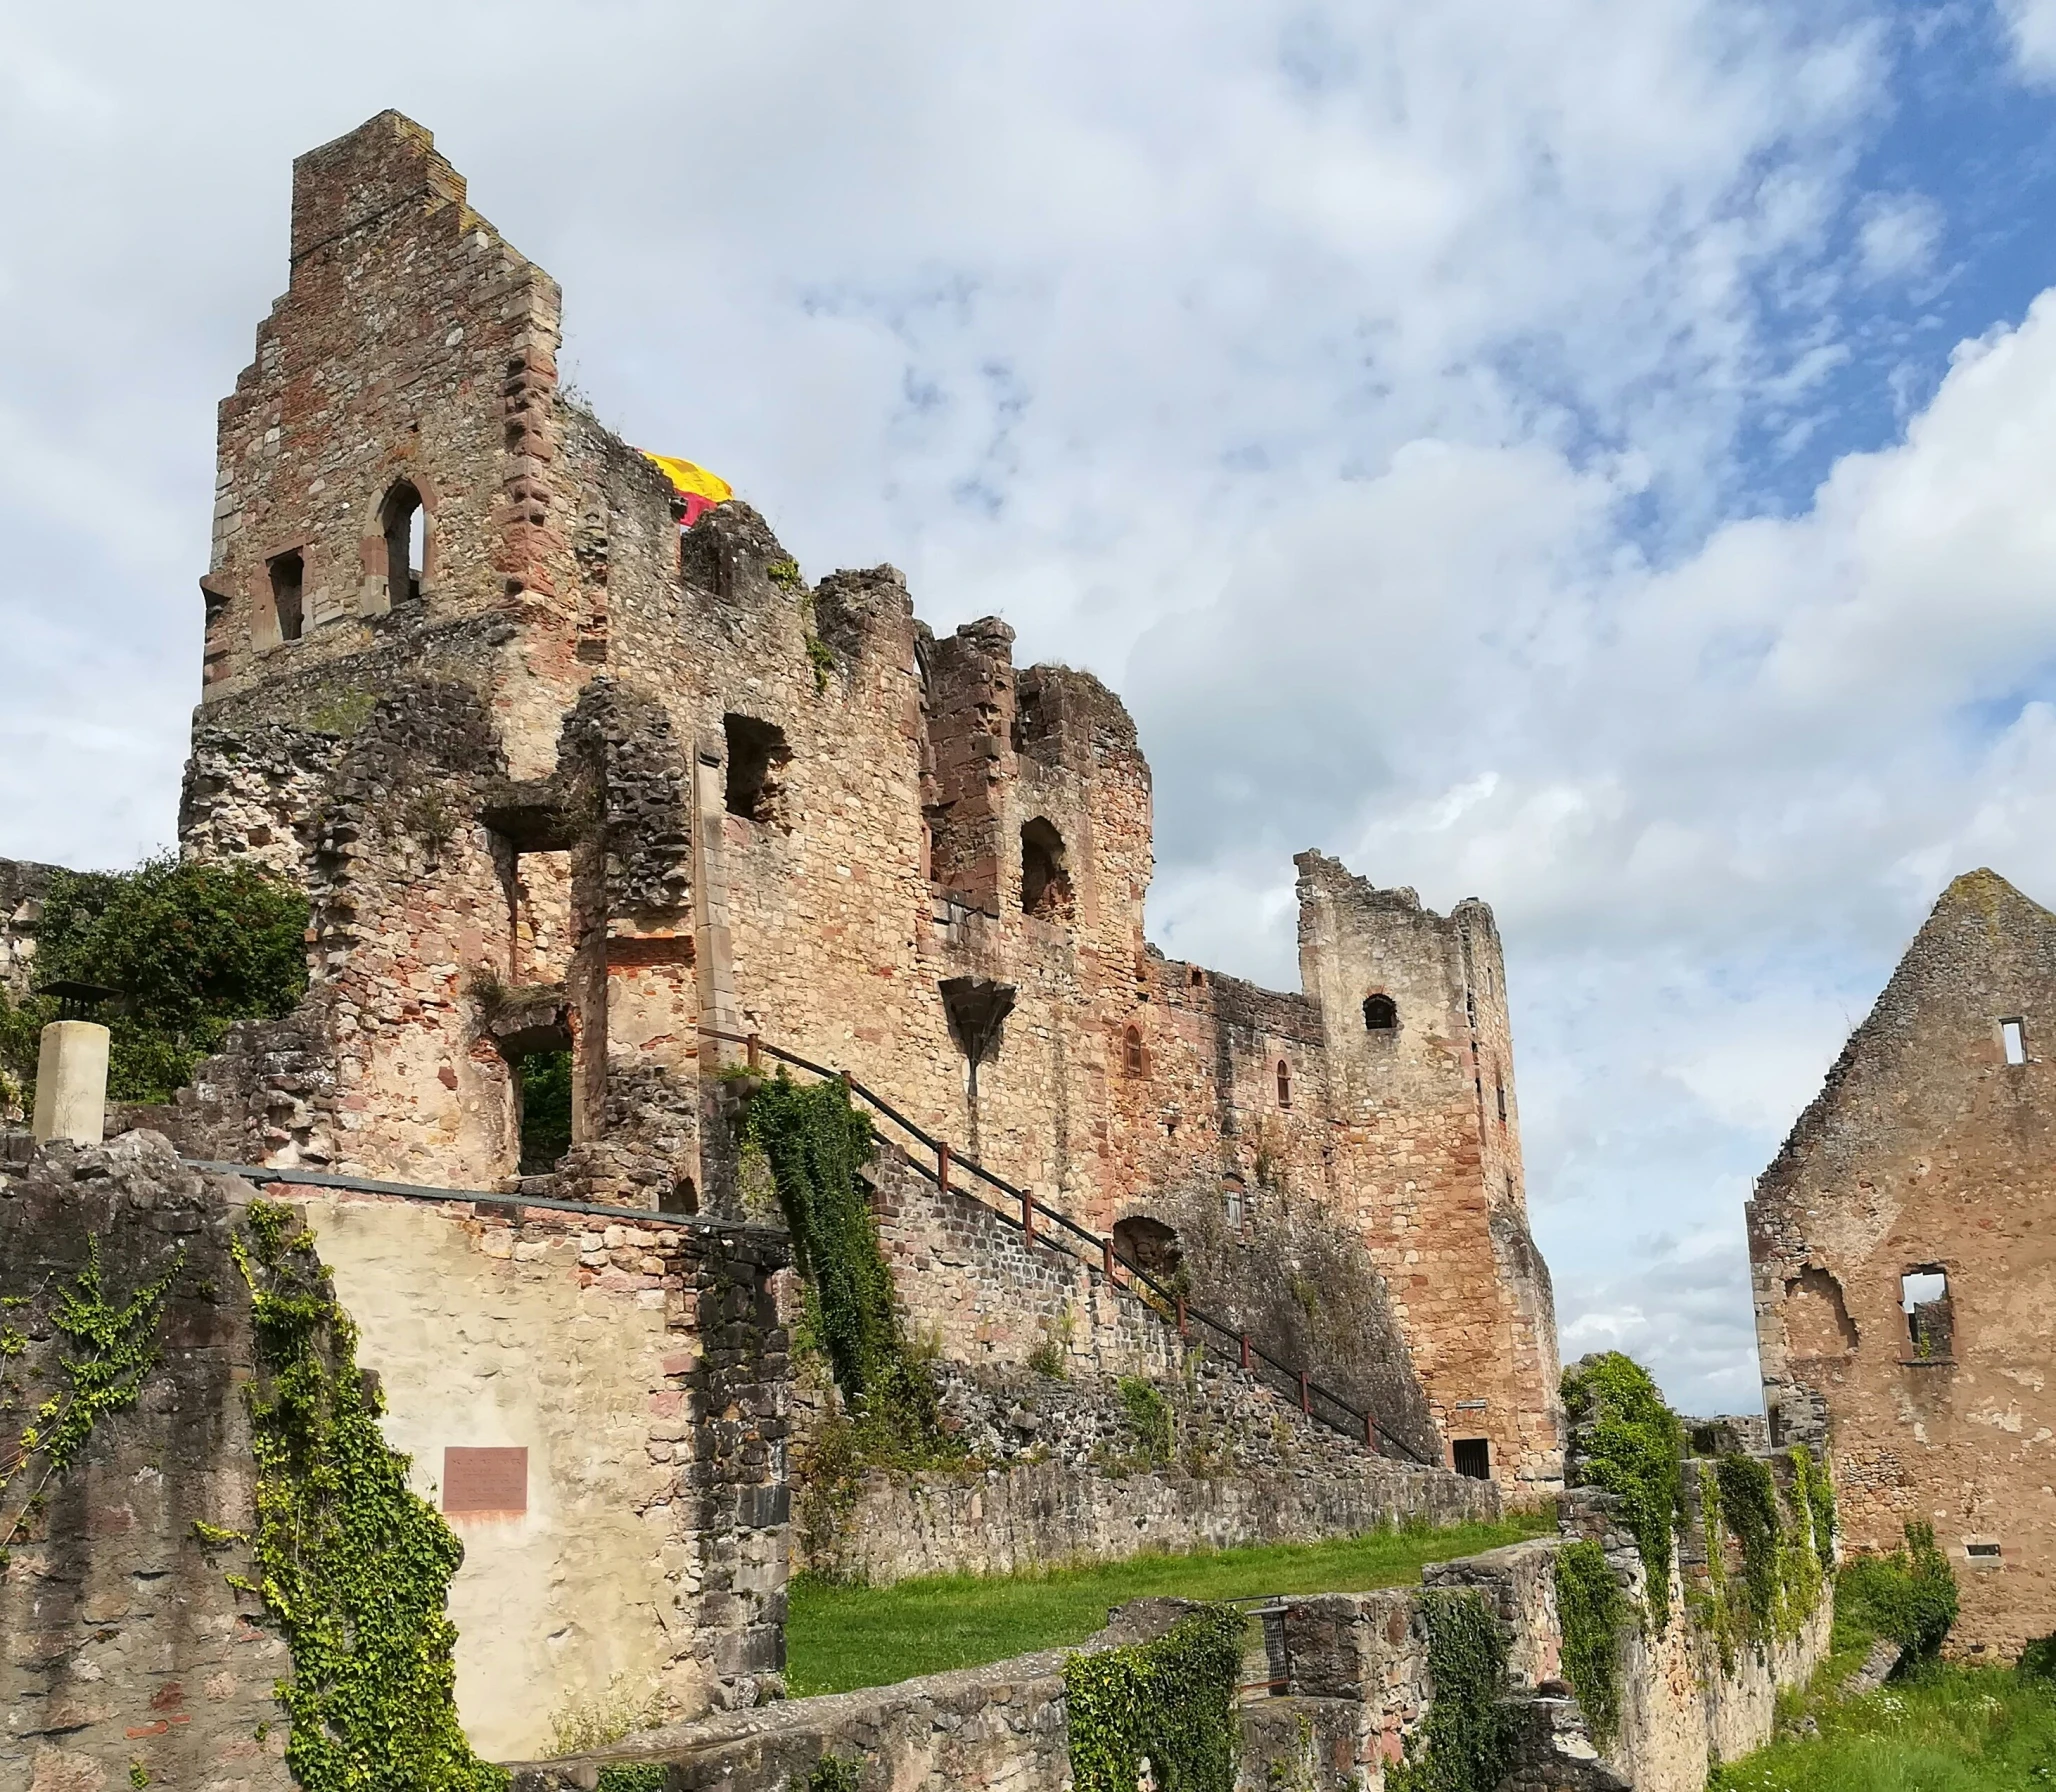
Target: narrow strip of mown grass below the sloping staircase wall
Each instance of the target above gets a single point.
(867, 1637)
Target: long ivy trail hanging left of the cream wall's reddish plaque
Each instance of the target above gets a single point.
(351, 1563)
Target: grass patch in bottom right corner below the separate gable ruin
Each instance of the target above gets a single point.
(1946, 1729)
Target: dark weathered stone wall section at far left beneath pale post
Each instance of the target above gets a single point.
(122, 1641)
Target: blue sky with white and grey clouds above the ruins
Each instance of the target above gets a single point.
(1592, 455)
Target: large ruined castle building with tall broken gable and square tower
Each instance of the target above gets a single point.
(564, 778)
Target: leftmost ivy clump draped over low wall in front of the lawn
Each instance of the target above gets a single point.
(1171, 1701)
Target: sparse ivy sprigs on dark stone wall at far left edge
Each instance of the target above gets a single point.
(96, 1357)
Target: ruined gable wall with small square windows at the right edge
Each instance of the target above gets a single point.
(1927, 1148)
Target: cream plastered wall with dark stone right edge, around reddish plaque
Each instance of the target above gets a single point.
(640, 1376)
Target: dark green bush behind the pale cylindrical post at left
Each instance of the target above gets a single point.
(190, 948)
